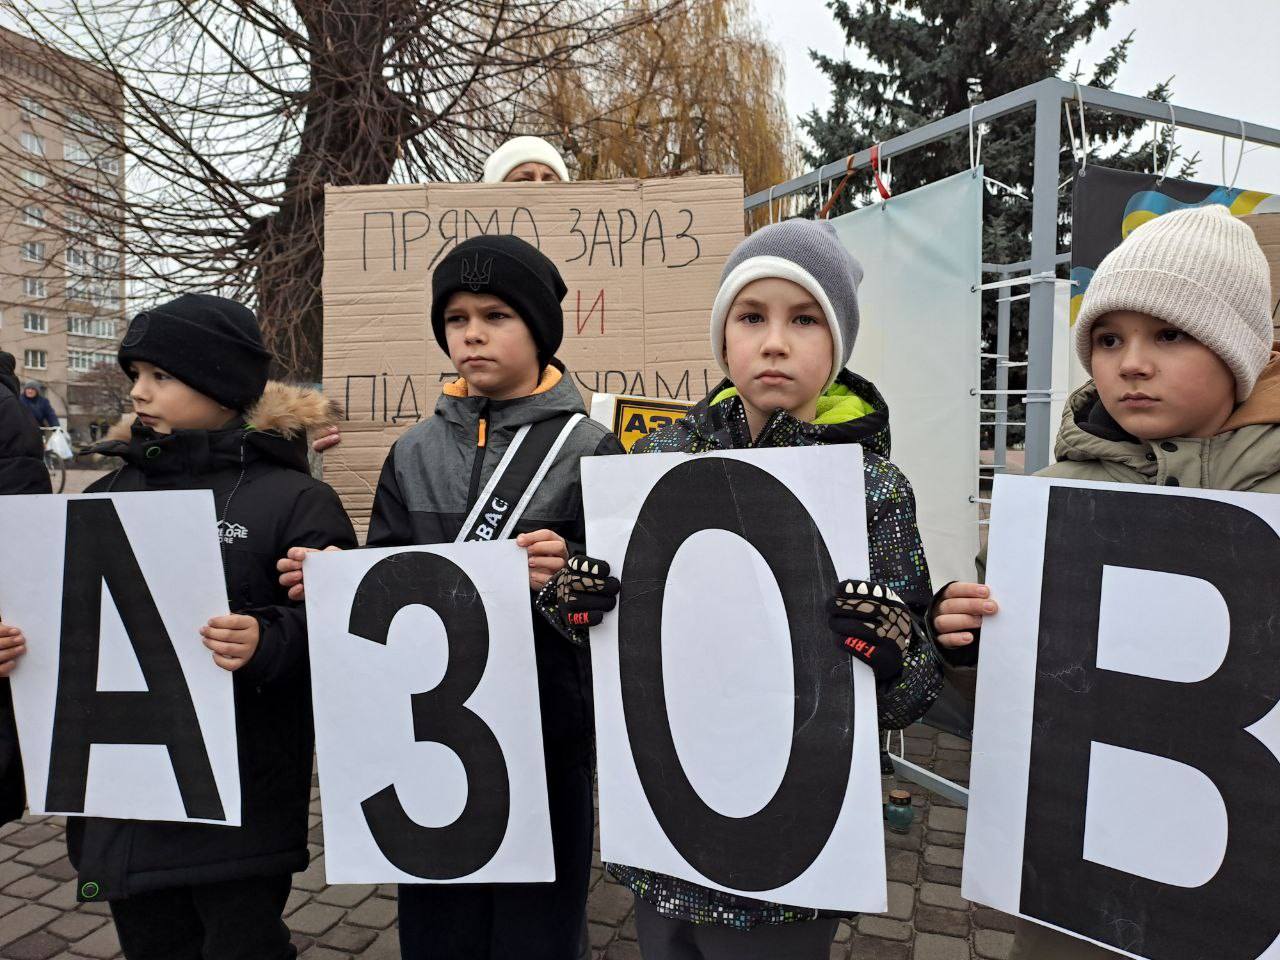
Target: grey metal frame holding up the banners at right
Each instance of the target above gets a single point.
(1037, 273)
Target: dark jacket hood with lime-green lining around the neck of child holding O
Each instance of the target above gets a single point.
(849, 412)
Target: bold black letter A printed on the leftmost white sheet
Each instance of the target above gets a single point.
(99, 550)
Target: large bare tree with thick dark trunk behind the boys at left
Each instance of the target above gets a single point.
(231, 117)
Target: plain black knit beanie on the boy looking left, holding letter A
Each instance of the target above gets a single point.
(211, 344)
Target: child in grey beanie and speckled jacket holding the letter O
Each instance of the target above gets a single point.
(783, 327)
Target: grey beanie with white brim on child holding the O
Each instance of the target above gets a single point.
(808, 254)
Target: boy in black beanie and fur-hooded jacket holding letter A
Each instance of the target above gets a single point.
(208, 419)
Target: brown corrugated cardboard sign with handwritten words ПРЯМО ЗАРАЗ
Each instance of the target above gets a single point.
(642, 260)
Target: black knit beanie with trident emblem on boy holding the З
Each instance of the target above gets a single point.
(515, 272)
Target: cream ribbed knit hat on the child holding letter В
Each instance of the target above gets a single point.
(1199, 269)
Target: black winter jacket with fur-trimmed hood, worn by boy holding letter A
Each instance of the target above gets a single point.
(267, 502)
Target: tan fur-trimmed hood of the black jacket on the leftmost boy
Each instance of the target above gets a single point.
(276, 428)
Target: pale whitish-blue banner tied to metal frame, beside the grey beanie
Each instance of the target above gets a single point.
(918, 342)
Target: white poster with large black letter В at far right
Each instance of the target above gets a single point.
(1126, 784)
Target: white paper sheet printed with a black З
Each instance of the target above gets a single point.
(428, 729)
